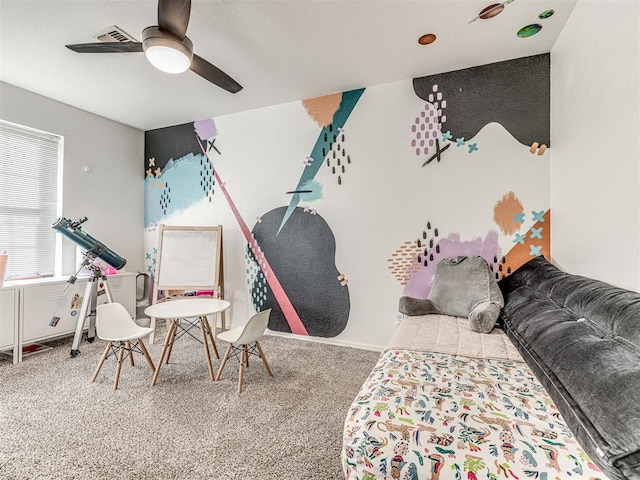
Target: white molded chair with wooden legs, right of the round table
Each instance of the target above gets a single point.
(243, 341)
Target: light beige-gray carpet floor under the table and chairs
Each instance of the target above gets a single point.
(55, 424)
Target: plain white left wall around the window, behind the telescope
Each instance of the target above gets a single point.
(111, 195)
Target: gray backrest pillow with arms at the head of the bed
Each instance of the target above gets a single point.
(462, 287)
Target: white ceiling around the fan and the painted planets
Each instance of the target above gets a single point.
(279, 51)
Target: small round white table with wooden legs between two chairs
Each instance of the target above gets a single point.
(183, 309)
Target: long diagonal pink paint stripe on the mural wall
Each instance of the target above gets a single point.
(289, 311)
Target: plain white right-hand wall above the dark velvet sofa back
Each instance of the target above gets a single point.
(595, 168)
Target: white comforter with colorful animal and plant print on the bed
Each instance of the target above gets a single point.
(435, 416)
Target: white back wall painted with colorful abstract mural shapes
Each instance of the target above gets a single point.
(335, 207)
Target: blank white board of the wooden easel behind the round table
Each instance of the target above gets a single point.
(188, 257)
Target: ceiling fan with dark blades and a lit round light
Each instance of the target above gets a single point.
(167, 47)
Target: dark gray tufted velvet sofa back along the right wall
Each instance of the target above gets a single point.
(581, 338)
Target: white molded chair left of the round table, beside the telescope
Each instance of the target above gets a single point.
(115, 325)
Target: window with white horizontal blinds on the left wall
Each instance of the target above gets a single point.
(30, 163)
